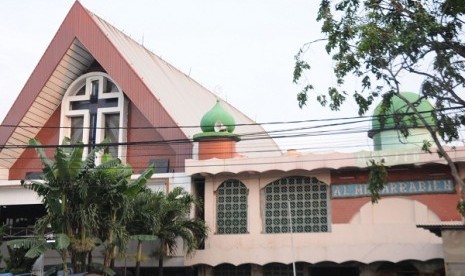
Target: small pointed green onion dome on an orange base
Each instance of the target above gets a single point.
(217, 120)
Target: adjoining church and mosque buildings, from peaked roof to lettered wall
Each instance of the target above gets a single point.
(268, 212)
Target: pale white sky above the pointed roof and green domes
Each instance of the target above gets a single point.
(241, 50)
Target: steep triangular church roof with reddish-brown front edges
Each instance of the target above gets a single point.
(83, 38)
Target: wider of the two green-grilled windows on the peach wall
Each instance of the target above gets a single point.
(306, 197)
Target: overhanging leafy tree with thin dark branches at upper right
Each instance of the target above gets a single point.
(378, 42)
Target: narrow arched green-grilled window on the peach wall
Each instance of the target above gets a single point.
(231, 207)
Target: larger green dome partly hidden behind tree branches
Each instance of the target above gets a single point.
(399, 106)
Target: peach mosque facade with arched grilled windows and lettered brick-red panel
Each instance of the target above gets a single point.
(314, 212)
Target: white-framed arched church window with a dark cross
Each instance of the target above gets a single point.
(94, 109)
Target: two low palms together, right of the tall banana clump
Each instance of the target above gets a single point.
(166, 218)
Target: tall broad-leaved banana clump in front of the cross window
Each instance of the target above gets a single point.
(87, 203)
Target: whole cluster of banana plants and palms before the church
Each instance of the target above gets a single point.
(91, 203)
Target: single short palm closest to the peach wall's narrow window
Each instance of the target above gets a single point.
(174, 221)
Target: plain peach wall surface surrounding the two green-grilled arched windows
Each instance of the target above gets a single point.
(394, 237)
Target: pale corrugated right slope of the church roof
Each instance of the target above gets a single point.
(185, 100)
